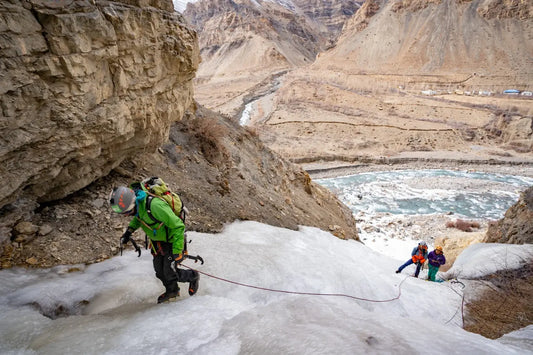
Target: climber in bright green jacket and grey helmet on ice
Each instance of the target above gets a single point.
(166, 237)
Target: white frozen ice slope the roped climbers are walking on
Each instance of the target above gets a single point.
(113, 304)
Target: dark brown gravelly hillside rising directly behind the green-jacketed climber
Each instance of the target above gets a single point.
(222, 172)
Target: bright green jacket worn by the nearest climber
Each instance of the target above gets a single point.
(172, 228)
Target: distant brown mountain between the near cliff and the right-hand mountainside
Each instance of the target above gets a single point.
(245, 42)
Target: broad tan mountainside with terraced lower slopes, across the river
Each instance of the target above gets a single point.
(410, 79)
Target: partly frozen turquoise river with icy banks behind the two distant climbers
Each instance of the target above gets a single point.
(413, 205)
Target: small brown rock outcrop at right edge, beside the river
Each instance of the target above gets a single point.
(517, 225)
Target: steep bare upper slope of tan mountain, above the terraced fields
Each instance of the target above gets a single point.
(489, 38)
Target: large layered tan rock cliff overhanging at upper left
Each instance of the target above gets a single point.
(84, 85)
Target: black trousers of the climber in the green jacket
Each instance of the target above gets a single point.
(163, 257)
